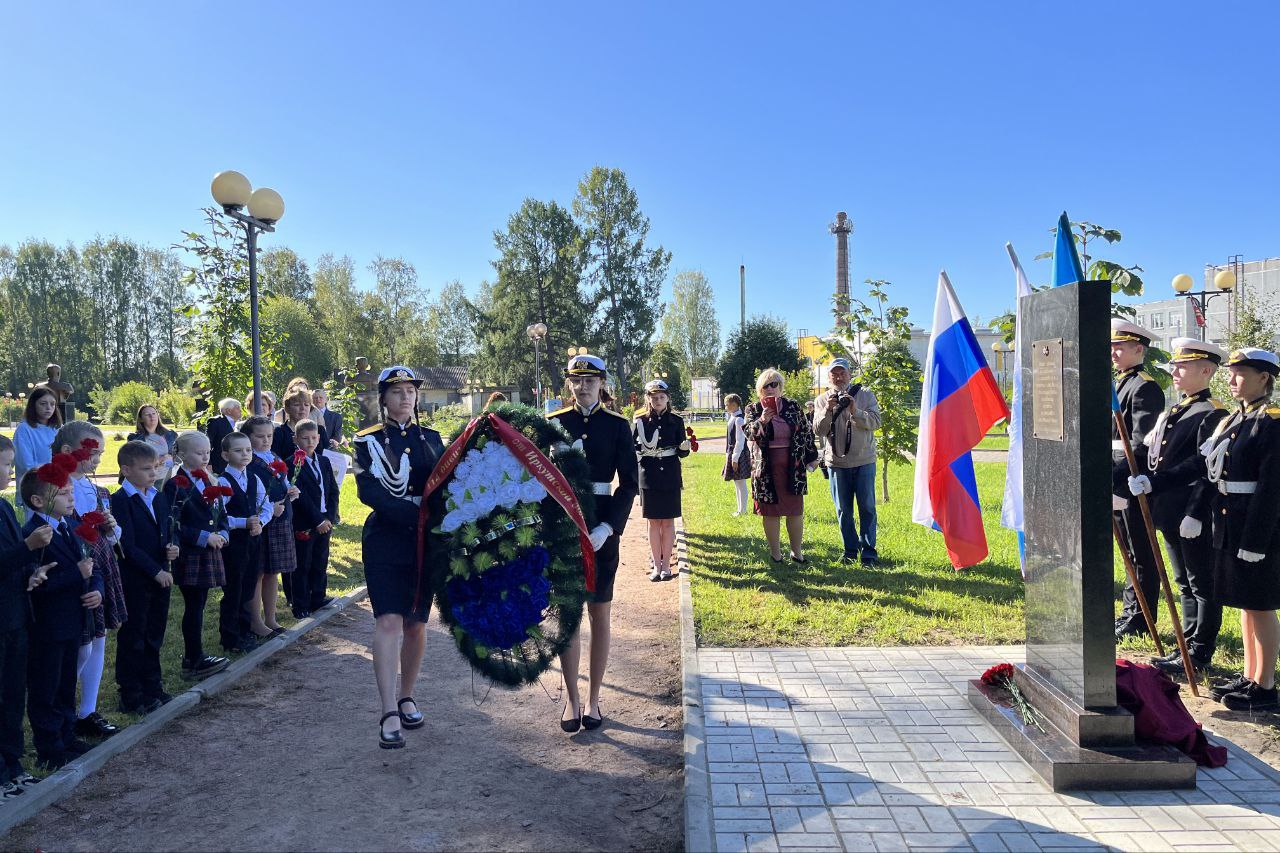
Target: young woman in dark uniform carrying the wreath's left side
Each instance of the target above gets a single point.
(394, 462)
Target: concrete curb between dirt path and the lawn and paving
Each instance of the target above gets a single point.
(698, 791)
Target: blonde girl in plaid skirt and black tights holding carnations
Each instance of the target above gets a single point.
(202, 533)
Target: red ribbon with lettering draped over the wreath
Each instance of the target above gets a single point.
(536, 463)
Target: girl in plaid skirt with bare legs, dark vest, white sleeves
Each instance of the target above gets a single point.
(280, 556)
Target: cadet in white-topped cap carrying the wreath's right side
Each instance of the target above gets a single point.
(606, 437)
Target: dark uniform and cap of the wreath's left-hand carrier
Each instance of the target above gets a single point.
(394, 463)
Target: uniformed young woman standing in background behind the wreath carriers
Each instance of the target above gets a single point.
(661, 444)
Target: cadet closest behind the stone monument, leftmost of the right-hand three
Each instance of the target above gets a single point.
(1141, 404)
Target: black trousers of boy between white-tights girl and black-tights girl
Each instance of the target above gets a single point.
(138, 644)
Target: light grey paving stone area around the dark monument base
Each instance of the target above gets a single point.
(877, 750)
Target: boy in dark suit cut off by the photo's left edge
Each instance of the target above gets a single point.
(17, 560)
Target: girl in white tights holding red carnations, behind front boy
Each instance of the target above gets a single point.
(83, 443)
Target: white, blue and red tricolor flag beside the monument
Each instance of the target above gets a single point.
(959, 404)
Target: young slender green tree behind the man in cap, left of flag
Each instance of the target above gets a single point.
(888, 370)
